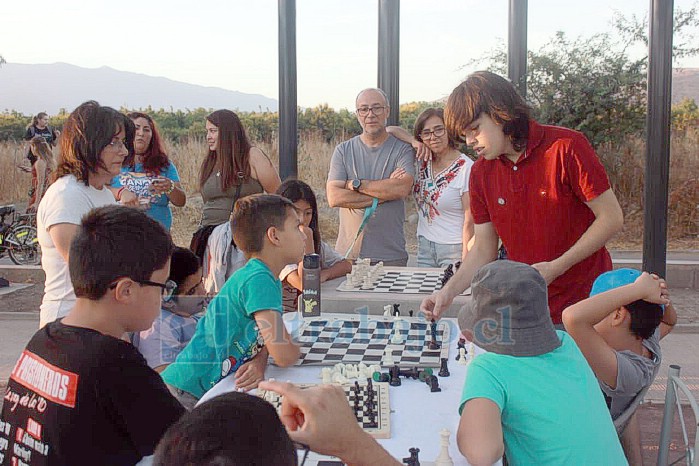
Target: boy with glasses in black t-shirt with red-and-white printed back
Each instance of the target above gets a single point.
(79, 394)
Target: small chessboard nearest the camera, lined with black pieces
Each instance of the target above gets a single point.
(368, 400)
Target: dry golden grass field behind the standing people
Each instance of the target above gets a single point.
(625, 166)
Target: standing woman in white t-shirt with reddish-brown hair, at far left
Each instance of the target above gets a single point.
(94, 144)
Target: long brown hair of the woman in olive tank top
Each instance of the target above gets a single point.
(233, 154)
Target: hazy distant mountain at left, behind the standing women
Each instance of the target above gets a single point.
(34, 88)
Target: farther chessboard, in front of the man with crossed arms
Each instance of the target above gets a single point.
(397, 281)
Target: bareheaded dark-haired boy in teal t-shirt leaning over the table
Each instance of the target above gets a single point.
(245, 319)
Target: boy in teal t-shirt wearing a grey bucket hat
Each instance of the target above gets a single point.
(532, 397)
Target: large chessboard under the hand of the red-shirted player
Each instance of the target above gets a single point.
(369, 339)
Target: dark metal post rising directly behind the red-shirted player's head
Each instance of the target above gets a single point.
(517, 45)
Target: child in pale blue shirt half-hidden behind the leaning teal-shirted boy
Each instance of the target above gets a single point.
(175, 326)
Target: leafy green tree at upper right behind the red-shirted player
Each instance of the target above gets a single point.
(592, 84)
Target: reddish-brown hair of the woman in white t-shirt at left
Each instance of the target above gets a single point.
(86, 132)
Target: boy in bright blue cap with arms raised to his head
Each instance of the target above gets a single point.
(618, 329)
